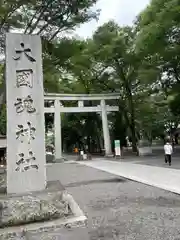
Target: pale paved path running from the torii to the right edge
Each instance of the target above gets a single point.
(164, 178)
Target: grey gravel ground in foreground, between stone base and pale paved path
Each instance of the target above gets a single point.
(120, 209)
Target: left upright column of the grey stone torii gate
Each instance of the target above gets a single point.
(57, 130)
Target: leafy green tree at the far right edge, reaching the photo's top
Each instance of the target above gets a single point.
(158, 40)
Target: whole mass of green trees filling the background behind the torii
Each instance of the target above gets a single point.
(140, 62)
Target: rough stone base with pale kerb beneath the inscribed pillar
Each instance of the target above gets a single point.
(49, 213)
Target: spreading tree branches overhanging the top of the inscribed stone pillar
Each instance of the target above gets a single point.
(47, 18)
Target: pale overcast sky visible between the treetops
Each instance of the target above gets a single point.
(122, 11)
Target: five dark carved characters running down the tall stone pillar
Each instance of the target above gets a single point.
(24, 78)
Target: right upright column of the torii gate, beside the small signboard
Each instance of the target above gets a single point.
(107, 141)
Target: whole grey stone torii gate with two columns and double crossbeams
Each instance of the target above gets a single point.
(58, 109)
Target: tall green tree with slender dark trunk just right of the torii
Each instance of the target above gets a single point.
(115, 49)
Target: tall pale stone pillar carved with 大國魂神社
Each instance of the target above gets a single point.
(26, 171)
